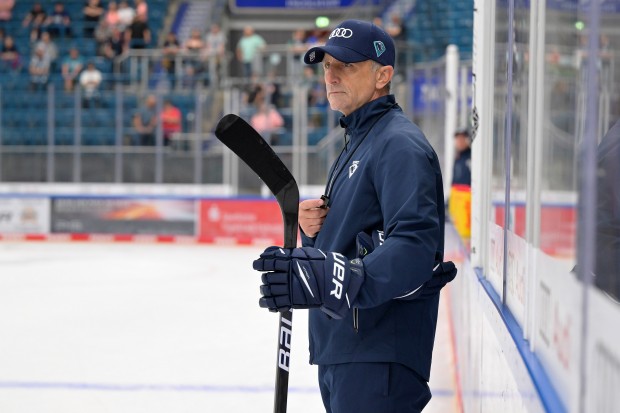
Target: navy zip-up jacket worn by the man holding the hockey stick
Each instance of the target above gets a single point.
(389, 179)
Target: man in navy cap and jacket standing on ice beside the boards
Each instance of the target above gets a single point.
(371, 243)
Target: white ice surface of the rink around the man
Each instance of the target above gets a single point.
(88, 327)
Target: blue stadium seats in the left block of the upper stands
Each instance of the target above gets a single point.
(25, 112)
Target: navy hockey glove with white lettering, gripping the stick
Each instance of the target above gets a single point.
(308, 278)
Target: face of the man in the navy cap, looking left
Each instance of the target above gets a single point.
(349, 85)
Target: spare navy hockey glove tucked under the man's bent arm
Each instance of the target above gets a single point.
(443, 272)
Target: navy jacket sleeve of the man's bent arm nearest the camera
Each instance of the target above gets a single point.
(407, 181)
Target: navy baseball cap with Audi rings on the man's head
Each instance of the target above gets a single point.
(355, 41)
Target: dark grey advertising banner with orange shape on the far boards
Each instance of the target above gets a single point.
(98, 215)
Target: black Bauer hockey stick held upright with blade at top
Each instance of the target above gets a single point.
(248, 145)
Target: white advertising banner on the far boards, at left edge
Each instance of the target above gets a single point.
(24, 215)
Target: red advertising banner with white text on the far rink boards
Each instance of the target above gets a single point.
(241, 221)
